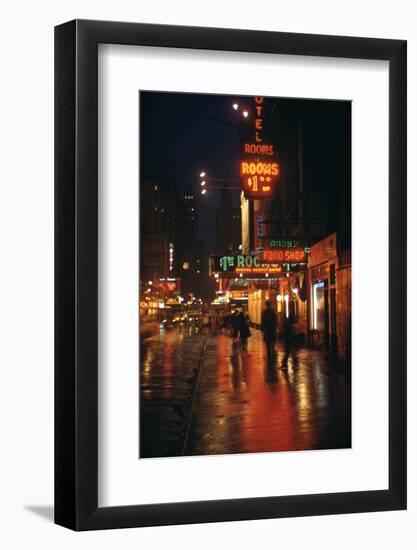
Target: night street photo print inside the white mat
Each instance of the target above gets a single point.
(245, 274)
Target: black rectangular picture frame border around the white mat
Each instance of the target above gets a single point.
(76, 272)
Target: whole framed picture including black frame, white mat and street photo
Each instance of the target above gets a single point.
(230, 252)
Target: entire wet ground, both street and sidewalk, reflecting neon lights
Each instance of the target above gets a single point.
(202, 394)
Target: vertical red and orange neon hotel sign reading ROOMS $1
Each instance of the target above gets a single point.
(259, 169)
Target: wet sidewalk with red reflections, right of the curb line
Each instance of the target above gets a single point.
(245, 404)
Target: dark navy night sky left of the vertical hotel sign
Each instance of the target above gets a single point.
(183, 134)
